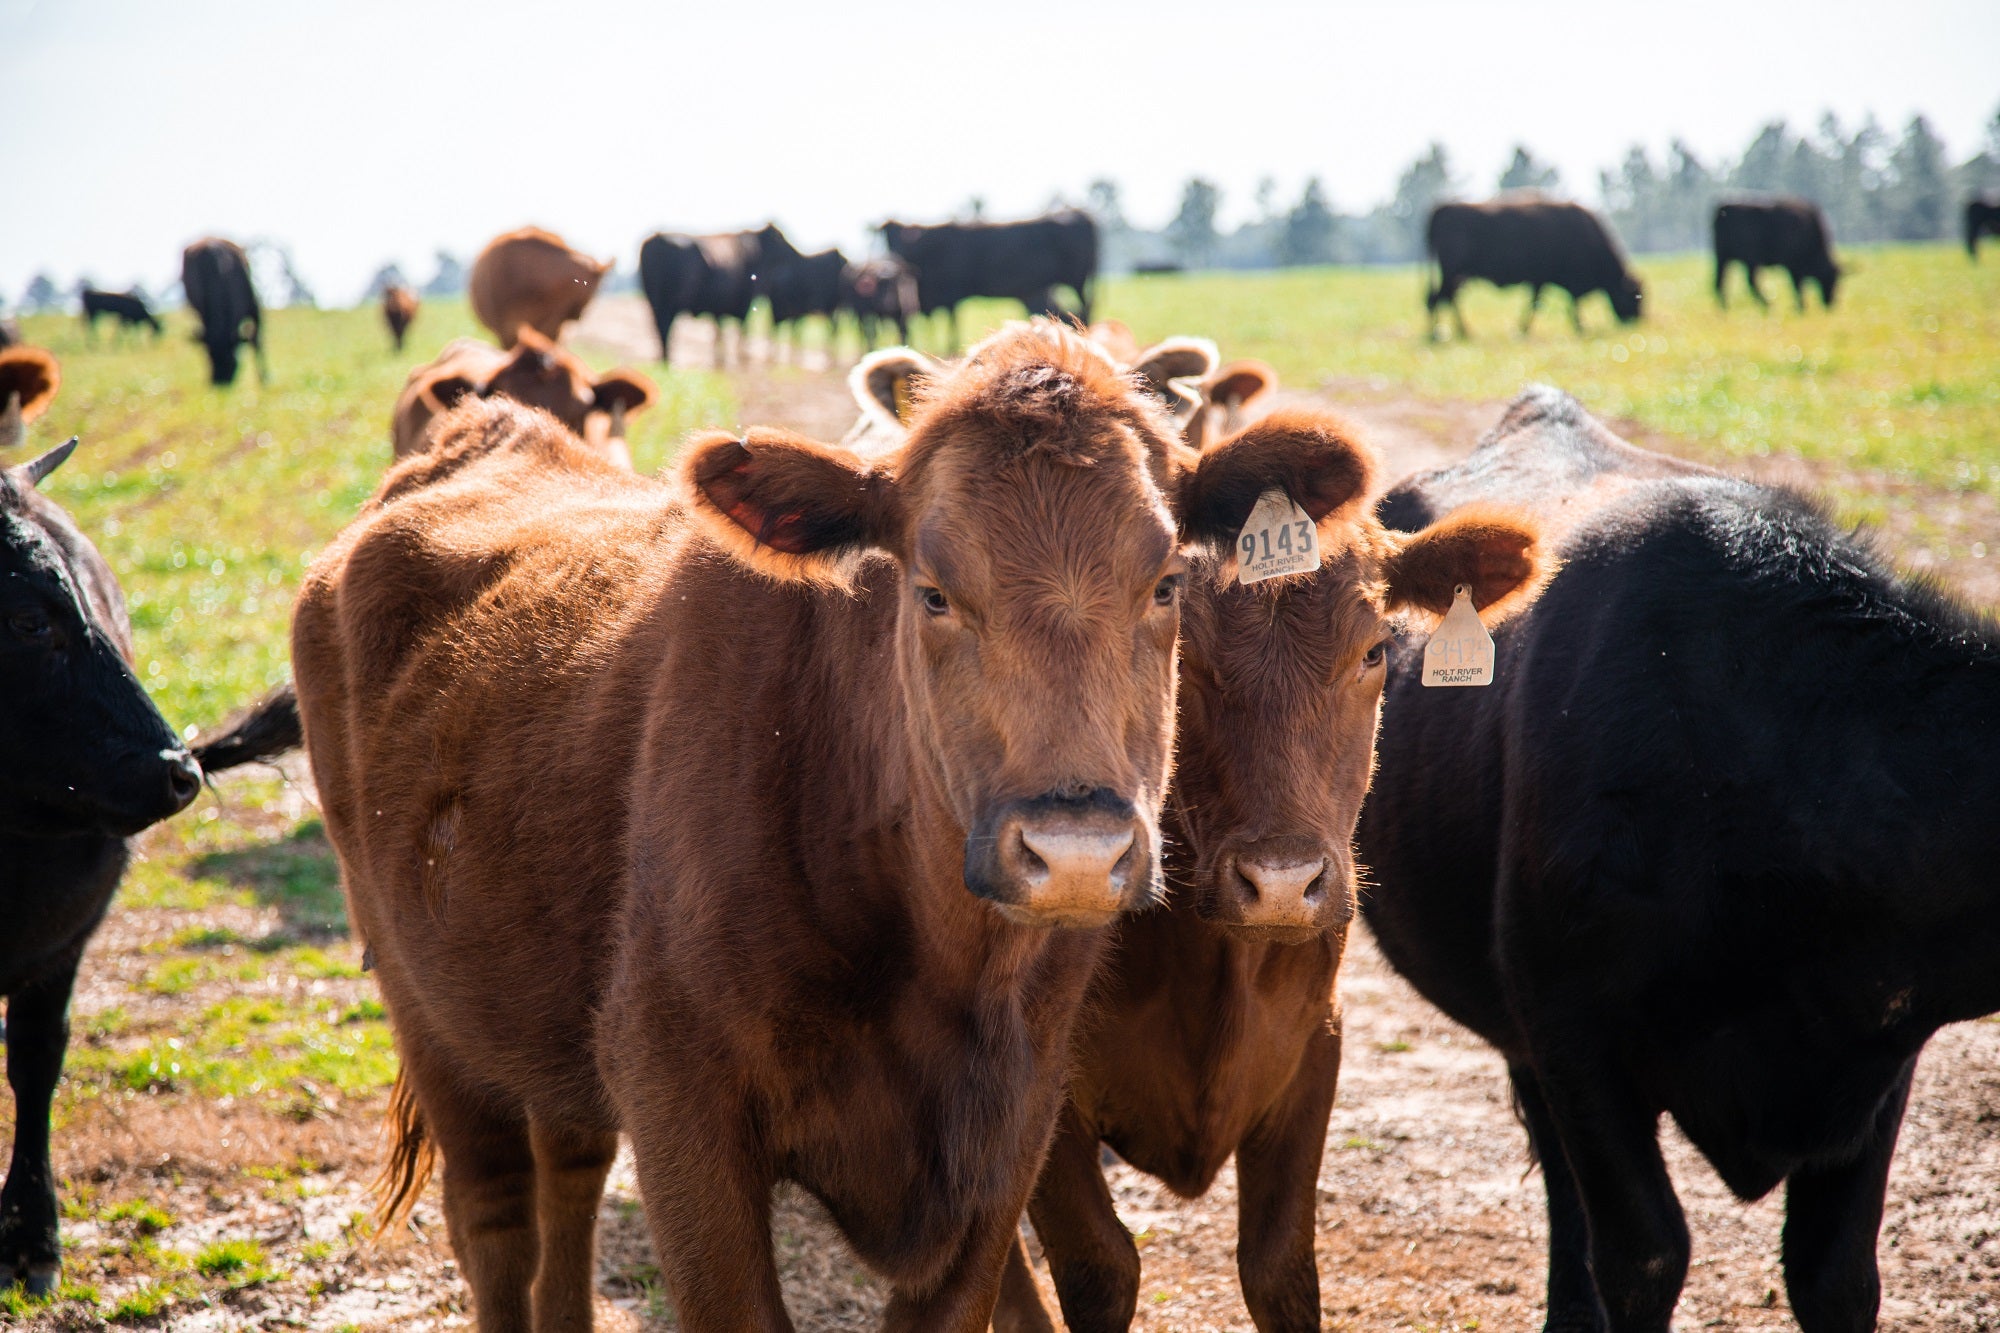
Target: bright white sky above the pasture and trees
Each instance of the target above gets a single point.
(367, 131)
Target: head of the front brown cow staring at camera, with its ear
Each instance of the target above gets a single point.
(1039, 597)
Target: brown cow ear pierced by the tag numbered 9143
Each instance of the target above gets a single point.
(1313, 457)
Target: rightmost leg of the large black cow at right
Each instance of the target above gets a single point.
(1833, 1218)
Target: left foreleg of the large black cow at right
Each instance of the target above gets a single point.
(1639, 1236)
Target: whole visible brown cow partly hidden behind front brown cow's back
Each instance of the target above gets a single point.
(537, 373)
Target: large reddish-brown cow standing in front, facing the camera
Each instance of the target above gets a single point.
(767, 788)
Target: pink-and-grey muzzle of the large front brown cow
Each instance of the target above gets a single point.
(1061, 860)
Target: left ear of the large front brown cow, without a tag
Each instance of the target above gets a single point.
(789, 507)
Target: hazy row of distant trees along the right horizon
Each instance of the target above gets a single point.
(1873, 187)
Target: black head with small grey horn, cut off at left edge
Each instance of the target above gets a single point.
(81, 746)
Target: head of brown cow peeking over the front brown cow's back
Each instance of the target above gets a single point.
(545, 375)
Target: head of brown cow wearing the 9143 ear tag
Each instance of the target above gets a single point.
(1283, 680)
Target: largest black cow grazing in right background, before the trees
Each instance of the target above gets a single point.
(1525, 239)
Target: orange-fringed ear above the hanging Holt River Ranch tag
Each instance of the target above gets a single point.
(1495, 553)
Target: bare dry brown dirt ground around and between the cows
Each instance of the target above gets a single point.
(1429, 1214)
